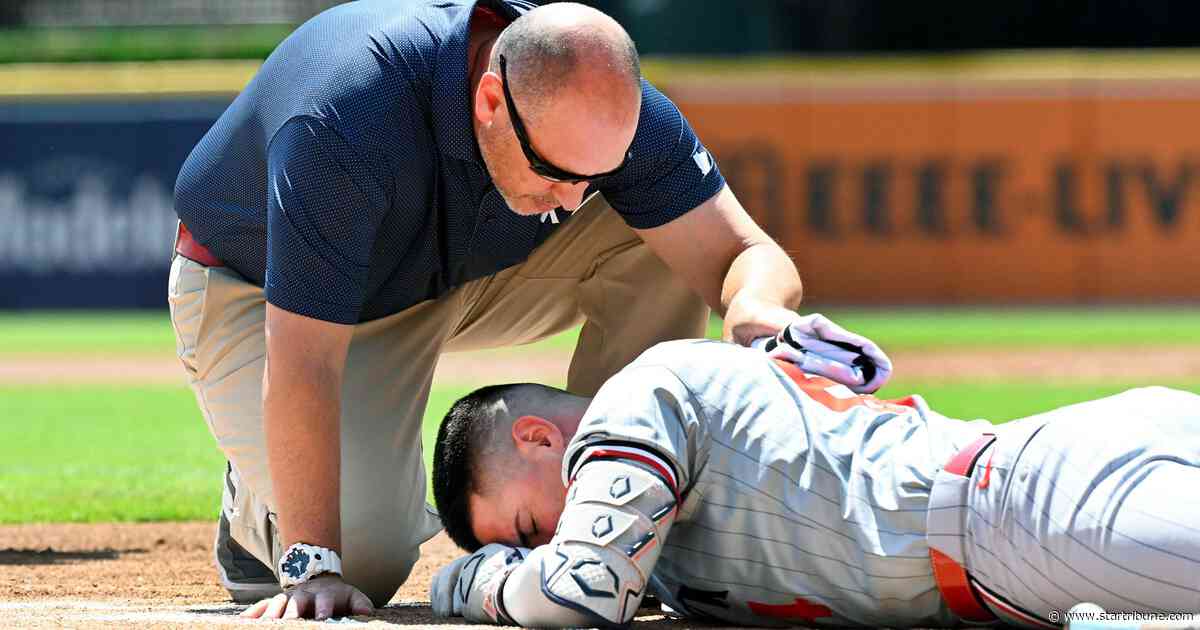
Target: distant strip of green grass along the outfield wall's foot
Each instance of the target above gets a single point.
(149, 333)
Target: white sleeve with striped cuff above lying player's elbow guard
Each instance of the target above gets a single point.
(643, 415)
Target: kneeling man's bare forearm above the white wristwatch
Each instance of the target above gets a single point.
(303, 422)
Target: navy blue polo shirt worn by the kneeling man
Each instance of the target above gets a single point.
(347, 182)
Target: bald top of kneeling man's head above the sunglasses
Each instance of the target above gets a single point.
(569, 49)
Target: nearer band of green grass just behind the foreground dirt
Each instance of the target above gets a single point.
(92, 454)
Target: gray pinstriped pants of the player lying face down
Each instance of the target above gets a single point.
(1097, 502)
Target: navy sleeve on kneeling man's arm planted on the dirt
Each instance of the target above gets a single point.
(325, 208)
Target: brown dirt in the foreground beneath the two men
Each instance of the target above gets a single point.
(159, 575)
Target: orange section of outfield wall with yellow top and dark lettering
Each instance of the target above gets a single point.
(1019, 178)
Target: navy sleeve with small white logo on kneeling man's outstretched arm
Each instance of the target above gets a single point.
(671, 172)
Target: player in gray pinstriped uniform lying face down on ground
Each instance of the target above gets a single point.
(735, 487)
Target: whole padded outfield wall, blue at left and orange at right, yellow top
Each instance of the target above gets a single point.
(973, 179)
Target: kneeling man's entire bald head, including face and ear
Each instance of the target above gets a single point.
(565, 107)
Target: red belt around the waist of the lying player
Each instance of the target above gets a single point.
(947, 513)
